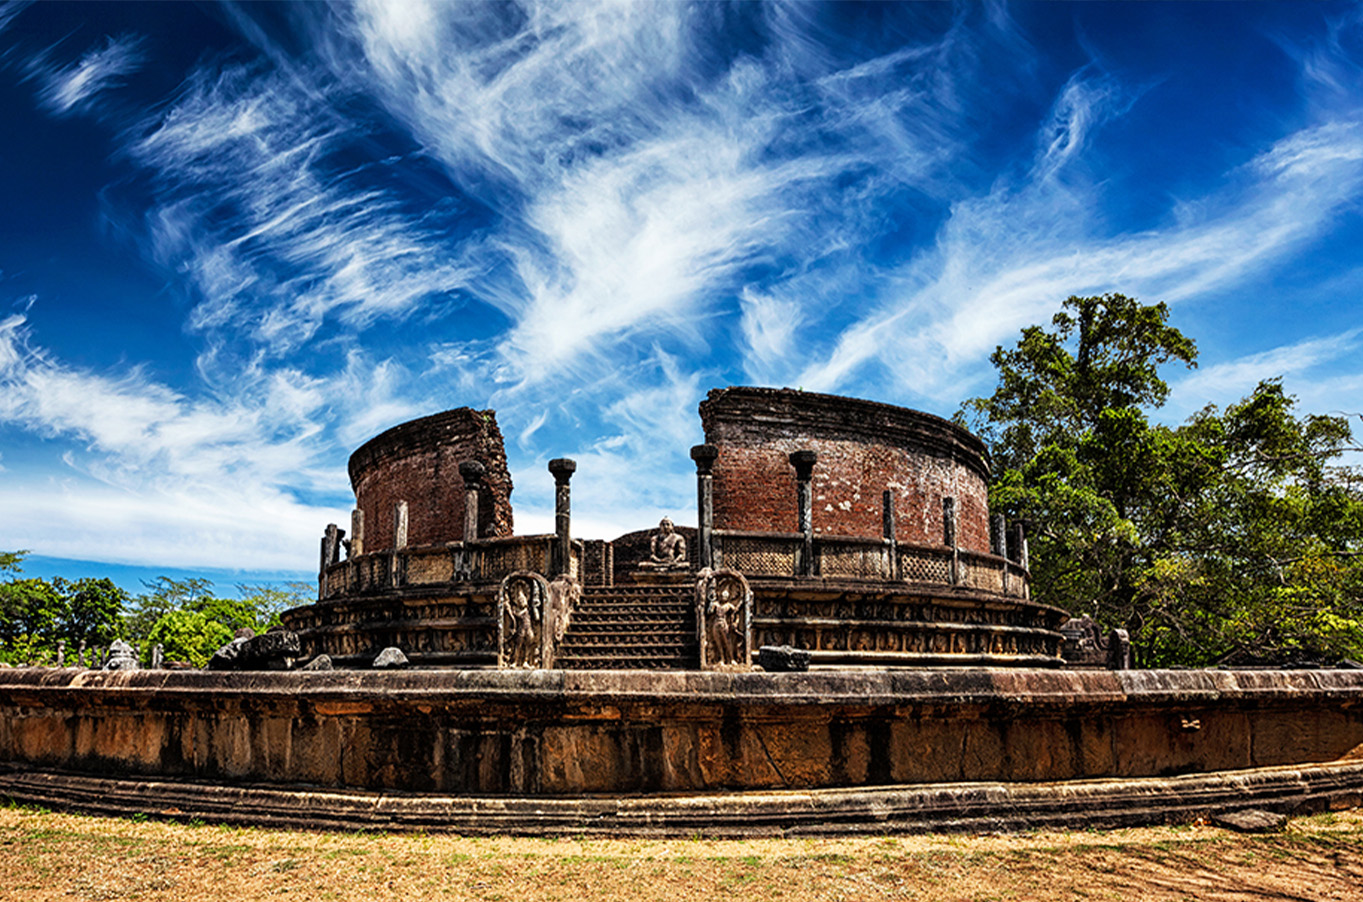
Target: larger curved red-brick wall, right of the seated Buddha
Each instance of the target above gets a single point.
(863, 449)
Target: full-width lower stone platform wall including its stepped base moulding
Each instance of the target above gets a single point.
(682, 751)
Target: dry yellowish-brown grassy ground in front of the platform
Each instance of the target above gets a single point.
(47, 856)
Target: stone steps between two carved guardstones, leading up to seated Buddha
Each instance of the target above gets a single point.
(632, 629)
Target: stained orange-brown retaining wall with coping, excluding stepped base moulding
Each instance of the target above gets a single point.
(564, 734)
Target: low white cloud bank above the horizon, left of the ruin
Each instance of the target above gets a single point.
(156, 478)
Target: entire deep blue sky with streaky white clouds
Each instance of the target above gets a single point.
(239, 240)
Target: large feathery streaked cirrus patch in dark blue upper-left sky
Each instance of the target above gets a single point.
(276, 235)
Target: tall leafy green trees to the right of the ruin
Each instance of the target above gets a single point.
(1230, 539)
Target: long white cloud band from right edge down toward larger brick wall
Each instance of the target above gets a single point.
(1007, 260)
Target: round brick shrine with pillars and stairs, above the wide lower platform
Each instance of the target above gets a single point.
(861, 533)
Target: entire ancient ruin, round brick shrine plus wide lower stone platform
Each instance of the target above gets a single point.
(844, 641)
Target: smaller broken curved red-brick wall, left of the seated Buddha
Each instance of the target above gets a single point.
(419, 463)
